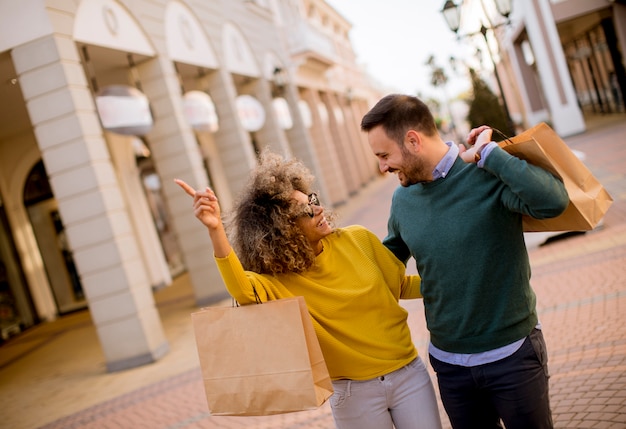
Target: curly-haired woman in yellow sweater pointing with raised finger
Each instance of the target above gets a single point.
(286, 246)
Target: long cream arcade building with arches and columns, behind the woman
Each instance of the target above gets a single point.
(107, 101)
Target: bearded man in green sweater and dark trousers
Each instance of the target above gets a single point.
(459, 214)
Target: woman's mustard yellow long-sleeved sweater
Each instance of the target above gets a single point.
(352, 294)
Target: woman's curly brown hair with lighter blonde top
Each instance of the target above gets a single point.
(262, 225)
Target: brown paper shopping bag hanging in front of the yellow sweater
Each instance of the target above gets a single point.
(261, 359)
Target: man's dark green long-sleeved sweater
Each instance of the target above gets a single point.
(465, 234)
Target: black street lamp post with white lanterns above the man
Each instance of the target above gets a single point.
(452, 15)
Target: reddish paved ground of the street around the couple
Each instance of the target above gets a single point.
(53, 376)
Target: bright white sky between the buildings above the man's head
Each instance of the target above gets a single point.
(394, 38)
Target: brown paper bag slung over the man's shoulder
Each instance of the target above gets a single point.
(589, 201)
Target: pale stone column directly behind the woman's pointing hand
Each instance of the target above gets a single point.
(176, 154)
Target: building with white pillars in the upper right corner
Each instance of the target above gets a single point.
(558, 60)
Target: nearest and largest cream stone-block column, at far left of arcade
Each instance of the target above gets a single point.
(74, 152)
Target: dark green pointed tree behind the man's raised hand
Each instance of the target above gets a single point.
(485, 107)
